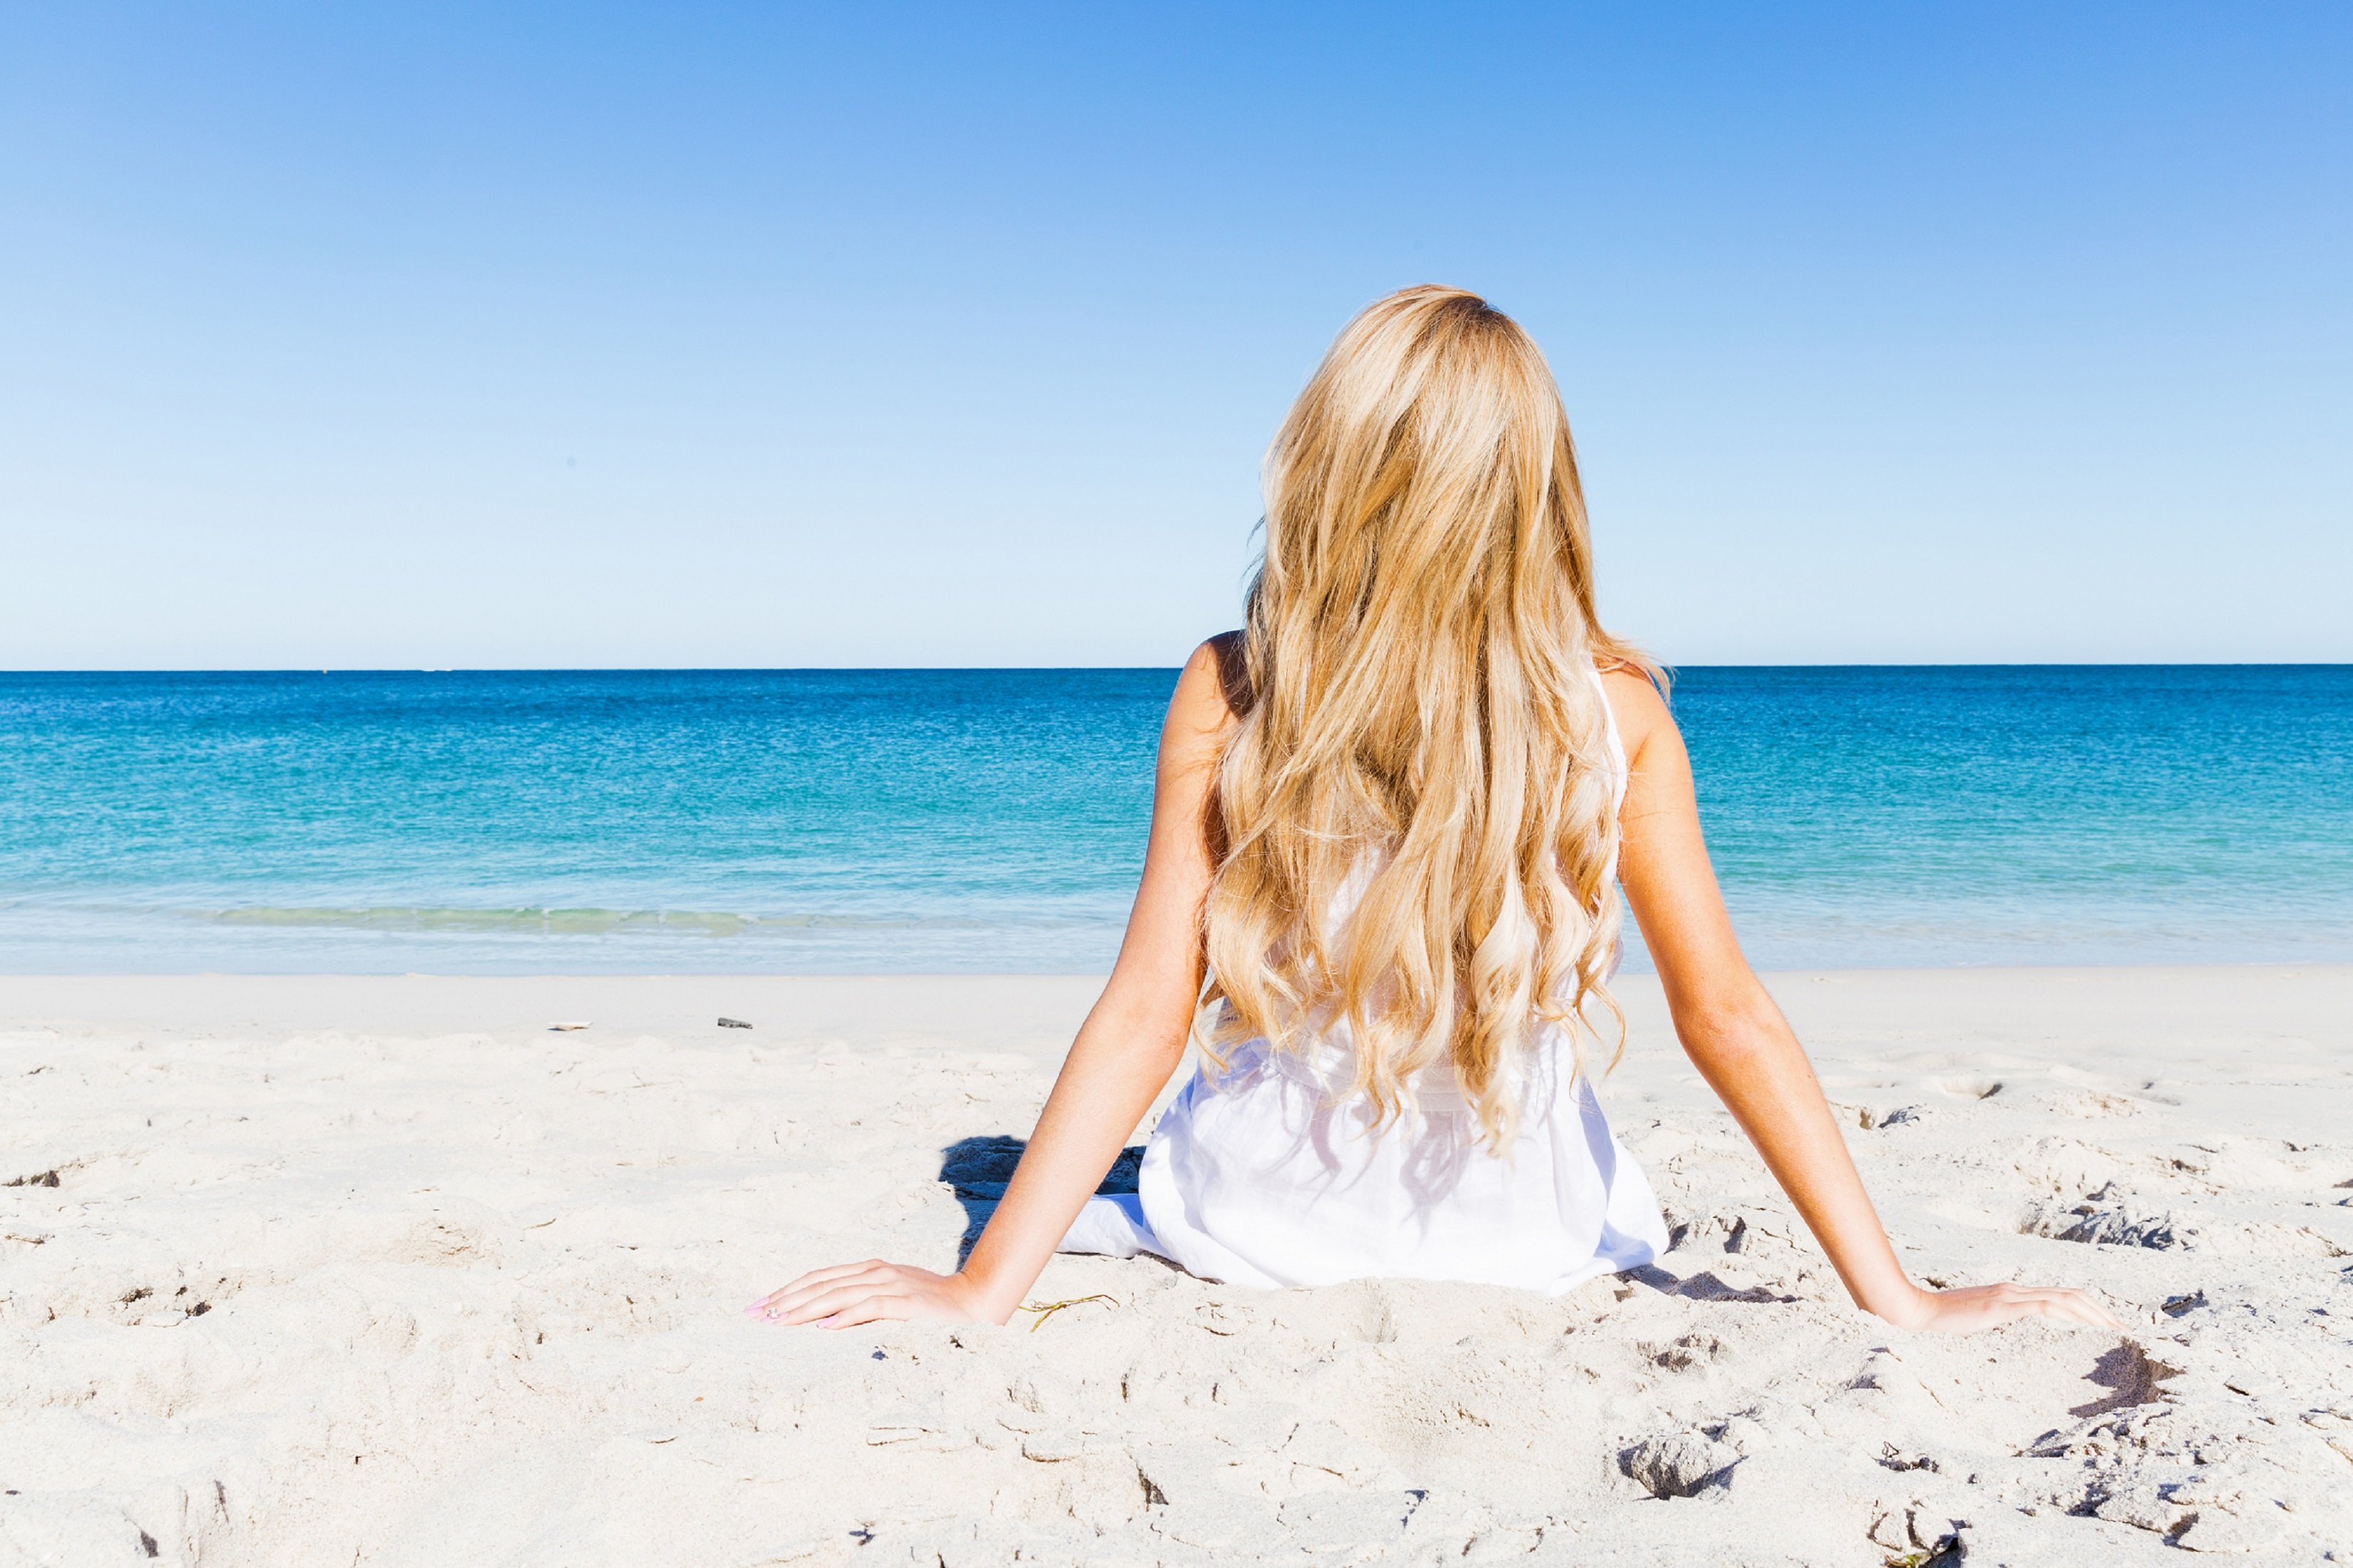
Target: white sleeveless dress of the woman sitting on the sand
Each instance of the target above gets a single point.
(1272, 1174)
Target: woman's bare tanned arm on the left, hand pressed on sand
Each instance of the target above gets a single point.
(1124, 1058)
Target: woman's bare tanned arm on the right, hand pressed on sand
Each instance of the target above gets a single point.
(1747, 1051)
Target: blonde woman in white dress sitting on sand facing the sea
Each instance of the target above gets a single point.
(1389, 830)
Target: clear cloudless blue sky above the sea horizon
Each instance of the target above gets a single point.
(952, 335)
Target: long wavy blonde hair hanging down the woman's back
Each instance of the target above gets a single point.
(1422, 719)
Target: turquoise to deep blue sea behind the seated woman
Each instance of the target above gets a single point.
(994, 820)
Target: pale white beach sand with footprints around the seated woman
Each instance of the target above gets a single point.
(387, 1273)
